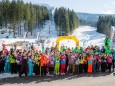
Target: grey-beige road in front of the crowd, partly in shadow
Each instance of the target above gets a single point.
(80, 80)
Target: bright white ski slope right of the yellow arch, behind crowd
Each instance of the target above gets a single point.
(88, 36)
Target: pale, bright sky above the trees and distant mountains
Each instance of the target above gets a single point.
(88, 6)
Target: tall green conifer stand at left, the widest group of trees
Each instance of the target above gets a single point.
(17, 12)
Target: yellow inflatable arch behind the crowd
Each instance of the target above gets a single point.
(67, 38)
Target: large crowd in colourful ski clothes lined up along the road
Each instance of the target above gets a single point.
(57, 62)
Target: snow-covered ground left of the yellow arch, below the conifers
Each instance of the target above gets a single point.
(47, 33)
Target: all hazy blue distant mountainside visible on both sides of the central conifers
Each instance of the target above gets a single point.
(84, 18)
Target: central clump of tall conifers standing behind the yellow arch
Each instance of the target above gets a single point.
(66, 20)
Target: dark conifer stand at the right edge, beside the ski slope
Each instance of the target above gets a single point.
(104, 24)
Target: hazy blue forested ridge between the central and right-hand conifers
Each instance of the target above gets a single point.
(89, 19)
